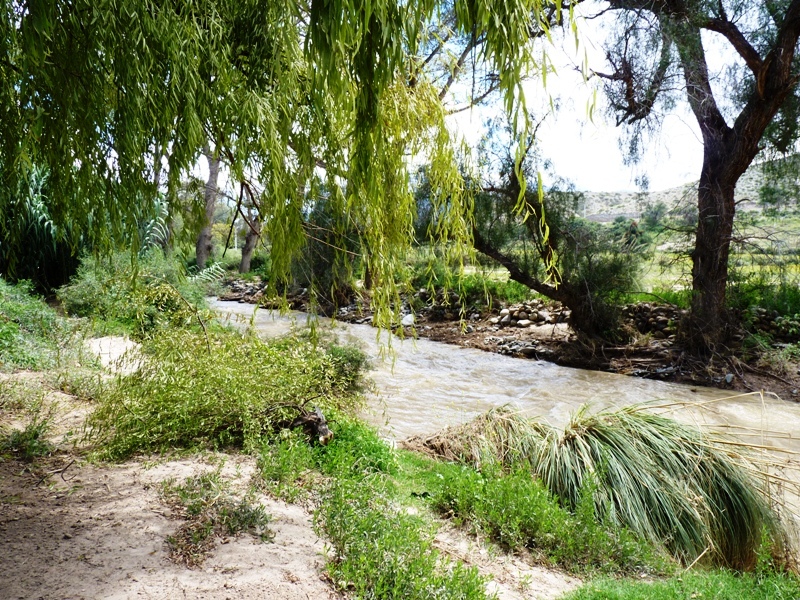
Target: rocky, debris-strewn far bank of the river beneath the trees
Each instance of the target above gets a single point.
(540, 331)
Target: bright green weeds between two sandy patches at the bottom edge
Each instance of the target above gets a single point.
(379, 551)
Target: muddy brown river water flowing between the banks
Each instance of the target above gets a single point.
(427, 385)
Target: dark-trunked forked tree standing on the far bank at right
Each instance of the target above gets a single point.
(658, 54)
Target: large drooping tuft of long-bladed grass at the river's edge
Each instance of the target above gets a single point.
(695, 493)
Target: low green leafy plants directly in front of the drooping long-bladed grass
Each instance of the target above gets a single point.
(517, 511)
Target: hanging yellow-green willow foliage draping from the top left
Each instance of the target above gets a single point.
(101, 92)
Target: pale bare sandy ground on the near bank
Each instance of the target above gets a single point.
(74, 530)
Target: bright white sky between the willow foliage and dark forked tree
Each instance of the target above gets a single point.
(586, 152)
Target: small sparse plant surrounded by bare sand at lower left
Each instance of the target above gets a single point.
(209, 511)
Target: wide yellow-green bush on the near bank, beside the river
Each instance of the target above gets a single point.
(223, 390)
